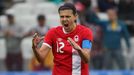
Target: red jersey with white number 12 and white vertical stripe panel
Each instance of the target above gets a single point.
(67, 61)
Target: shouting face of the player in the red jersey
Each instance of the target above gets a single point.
(67, 19)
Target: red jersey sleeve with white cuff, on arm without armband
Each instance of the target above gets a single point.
(49, 38)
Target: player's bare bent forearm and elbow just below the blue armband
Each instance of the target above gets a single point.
(84, 54)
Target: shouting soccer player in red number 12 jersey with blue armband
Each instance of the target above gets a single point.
(70, 44)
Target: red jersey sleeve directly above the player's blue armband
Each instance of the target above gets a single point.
(88, 35)
